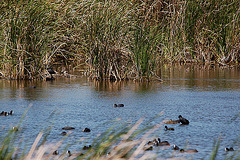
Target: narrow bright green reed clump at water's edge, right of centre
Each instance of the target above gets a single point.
(144, 48)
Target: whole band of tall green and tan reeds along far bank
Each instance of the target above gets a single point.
(115, 39)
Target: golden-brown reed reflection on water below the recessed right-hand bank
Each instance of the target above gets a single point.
(212, 77)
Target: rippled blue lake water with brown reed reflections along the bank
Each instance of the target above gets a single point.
(209, 97)
